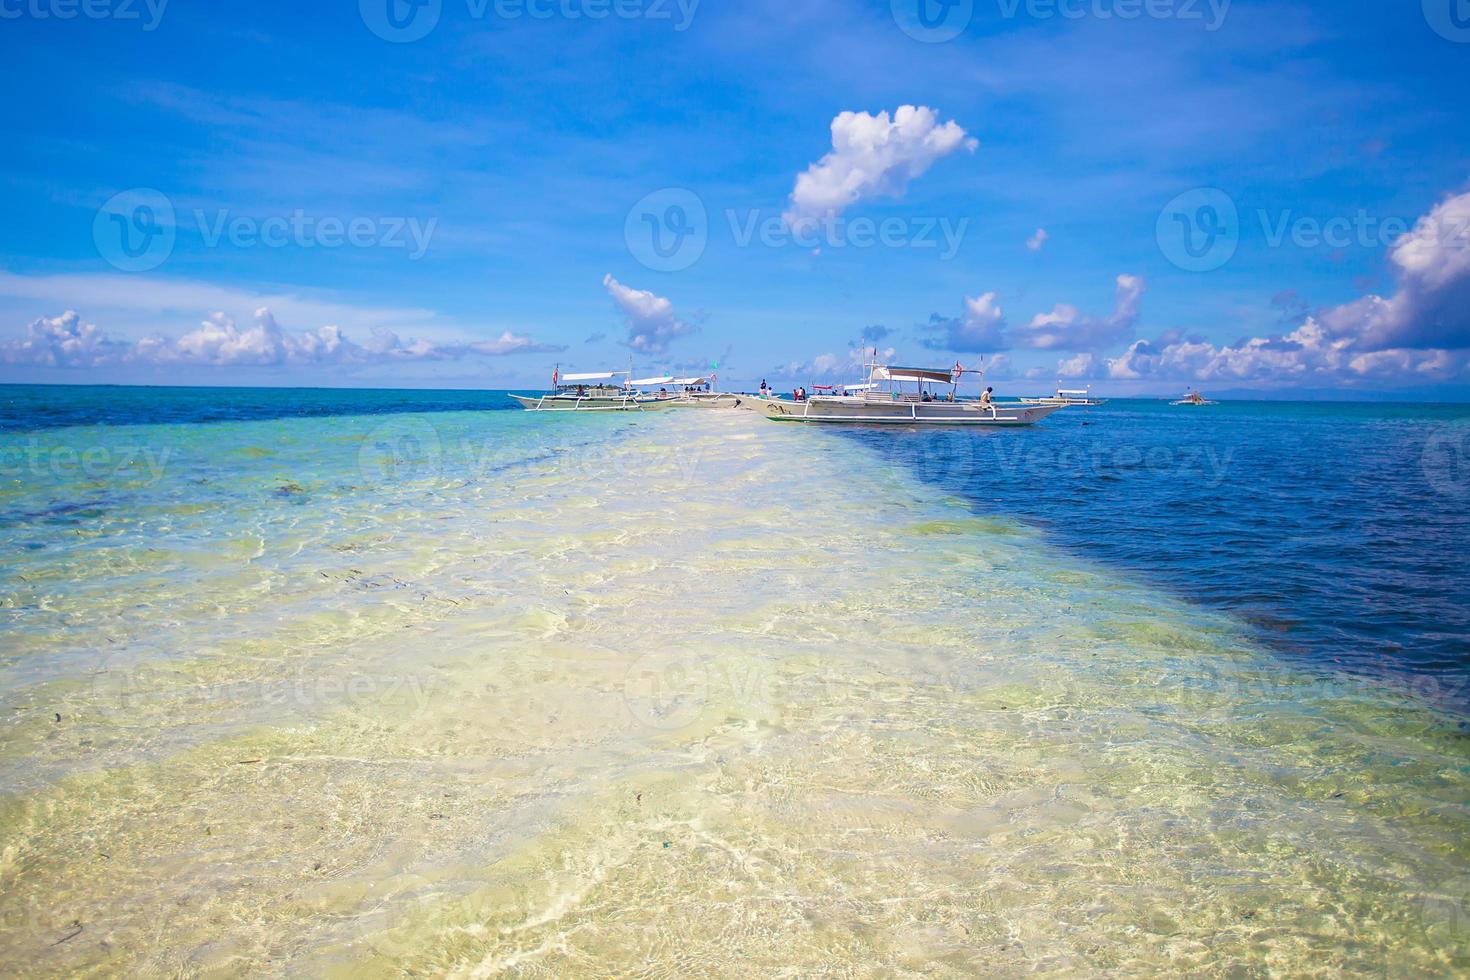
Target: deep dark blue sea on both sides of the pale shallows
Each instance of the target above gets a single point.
(1340, 533)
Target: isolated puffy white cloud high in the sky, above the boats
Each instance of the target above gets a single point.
(872, 156)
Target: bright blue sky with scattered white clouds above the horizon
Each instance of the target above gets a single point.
(1234, 196)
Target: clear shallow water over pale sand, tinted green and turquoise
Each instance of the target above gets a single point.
(683, 694)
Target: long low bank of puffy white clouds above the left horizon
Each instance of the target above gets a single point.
(65, 342)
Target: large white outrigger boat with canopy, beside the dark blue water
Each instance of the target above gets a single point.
(886, 400)
